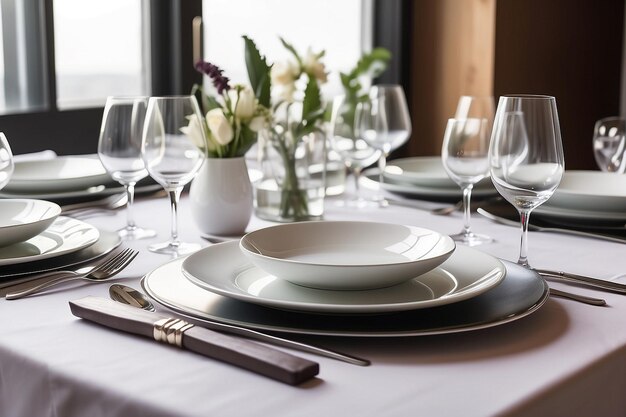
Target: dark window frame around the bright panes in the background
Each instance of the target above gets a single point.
(75, 131)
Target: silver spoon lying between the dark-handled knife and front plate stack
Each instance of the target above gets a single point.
(130, 296)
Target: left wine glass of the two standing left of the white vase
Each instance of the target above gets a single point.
(119, 149)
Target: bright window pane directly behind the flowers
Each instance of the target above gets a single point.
(337, 26)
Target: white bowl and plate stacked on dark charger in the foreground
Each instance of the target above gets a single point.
(347, 279)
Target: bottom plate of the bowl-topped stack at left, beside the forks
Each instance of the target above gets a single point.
(17, 273)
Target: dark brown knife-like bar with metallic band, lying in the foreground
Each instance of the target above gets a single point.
(246, 354)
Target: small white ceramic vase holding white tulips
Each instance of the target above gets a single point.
(221, 197)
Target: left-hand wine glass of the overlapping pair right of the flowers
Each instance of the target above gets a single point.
(355, 153)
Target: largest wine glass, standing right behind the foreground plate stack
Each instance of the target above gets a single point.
(526, 155)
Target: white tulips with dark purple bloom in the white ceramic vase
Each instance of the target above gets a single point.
(233, 118)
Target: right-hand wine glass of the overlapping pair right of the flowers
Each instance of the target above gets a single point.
(385, 123)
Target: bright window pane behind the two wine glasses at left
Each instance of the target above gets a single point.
(99, 51)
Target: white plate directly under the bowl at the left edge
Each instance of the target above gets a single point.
(64, 235)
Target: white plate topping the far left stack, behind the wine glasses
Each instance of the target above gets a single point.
(63, 173)
